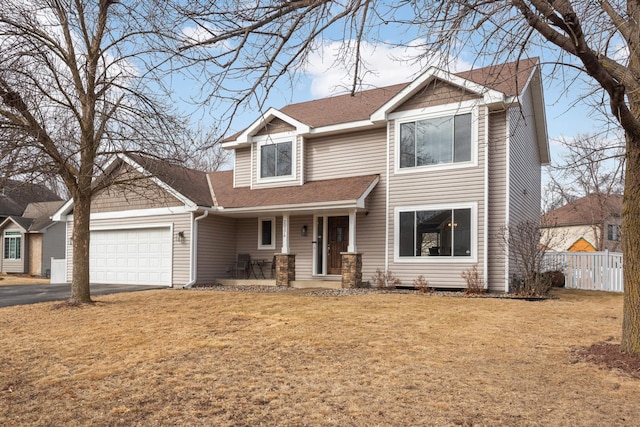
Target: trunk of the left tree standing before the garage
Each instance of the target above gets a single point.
(80, 292)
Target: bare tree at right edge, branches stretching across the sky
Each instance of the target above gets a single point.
(266, 40)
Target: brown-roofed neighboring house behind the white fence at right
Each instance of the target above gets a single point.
(591, 223)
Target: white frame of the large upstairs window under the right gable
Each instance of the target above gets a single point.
(466, 107)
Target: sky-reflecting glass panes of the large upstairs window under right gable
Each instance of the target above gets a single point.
(435, 140)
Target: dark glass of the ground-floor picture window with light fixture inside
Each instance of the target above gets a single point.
(435, 233)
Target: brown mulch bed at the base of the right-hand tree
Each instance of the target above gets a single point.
(609, 356)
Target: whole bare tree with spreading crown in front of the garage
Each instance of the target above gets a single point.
(79, 82)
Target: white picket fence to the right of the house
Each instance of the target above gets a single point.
(600, 271)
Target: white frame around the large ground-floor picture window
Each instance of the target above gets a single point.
(473, 258)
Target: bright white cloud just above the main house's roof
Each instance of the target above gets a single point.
(384, 65)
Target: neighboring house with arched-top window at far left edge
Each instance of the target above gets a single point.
(30, 241)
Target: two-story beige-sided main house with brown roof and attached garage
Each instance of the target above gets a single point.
(415, 178)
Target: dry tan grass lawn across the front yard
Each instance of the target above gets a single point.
(219, 358)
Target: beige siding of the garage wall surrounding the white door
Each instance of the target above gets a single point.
(181, 249)
